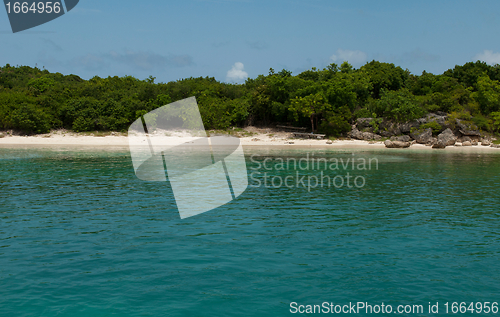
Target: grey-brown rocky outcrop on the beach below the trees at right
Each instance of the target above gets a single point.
(436, 129)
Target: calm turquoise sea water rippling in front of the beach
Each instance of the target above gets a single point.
(80, 235)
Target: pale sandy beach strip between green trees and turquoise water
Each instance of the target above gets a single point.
(280, 139)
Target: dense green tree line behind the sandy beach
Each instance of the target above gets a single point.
(326, 100)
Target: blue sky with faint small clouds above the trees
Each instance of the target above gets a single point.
(232, 39)
